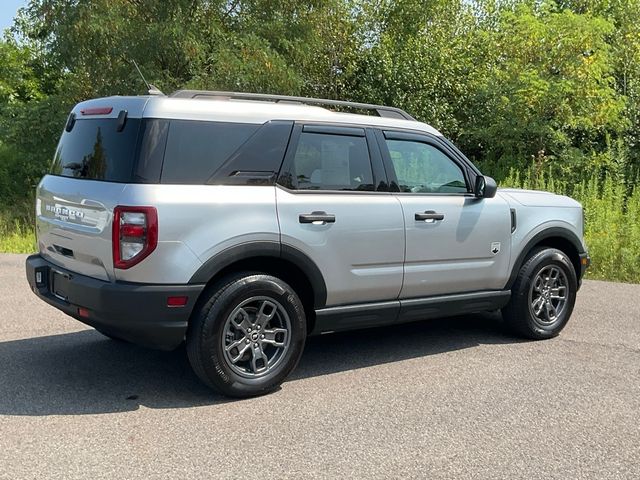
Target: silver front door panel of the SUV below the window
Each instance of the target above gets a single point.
(454, 255)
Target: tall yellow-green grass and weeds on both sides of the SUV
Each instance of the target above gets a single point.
(612, 230)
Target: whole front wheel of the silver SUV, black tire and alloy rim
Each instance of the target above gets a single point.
(532, 283)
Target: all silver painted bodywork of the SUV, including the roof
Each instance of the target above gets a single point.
(375, 251)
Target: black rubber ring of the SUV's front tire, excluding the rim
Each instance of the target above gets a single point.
(540, 260)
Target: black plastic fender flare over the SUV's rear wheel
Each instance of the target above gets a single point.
(243, 251)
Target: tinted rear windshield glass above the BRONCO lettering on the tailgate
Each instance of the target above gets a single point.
(95, 150)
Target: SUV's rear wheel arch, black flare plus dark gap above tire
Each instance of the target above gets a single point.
(280, 260)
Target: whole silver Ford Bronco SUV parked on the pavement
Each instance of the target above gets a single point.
(242, 223)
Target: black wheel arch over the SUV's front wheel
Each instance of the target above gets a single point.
(555, 237)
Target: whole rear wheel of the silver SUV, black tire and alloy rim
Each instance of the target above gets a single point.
(212, 328)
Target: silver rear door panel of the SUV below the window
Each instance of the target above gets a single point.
(360, 256)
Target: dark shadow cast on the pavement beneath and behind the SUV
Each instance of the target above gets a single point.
(85, 373)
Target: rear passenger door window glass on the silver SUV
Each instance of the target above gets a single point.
(331, 162)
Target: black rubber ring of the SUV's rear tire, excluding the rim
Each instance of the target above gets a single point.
(216, 367)
